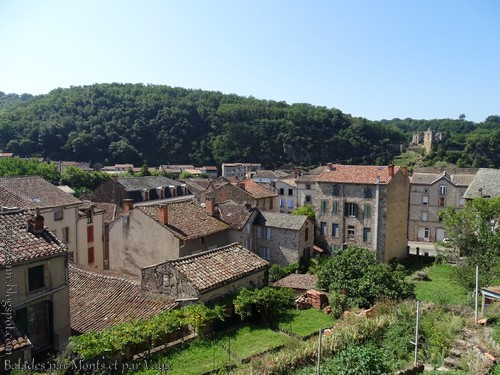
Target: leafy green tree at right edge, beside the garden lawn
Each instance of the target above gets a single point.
(471, 232)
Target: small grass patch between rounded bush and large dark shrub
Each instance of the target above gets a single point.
(306, 322)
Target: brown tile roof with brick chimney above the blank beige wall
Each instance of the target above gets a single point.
(187, 220)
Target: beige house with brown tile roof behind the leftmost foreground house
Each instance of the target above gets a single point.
(59, 209)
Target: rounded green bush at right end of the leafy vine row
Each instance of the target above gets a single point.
(267, 303)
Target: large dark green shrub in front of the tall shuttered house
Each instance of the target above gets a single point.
(356, 273)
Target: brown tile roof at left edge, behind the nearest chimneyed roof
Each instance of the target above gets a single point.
(32, 192)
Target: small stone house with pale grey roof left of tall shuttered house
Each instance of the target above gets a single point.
(283, 239)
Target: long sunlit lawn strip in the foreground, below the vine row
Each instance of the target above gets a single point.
(203, 355)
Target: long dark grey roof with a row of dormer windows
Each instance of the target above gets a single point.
(139, 189)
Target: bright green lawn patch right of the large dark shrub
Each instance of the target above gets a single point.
(442, 288)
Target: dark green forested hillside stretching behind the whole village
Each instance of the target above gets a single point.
(112, 123)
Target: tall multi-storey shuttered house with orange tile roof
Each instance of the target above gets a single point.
(365, 206)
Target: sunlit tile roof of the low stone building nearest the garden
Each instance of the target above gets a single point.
(220, 266)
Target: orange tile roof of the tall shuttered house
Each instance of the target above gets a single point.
(356, 174)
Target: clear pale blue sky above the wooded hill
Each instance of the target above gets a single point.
(383, 59)
